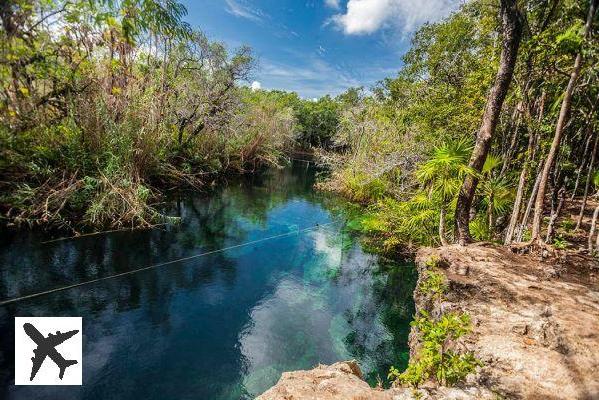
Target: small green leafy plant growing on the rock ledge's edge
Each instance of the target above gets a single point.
(435, 359)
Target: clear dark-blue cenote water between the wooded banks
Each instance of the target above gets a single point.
(224, 325)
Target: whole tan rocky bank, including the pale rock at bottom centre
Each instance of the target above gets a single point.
(534, 329)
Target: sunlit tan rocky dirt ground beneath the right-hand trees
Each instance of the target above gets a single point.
(536, 321)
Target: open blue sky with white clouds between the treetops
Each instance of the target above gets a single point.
(317, 47)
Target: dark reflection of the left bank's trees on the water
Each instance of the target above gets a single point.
(207, 223)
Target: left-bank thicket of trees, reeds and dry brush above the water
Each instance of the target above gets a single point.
(105, 104)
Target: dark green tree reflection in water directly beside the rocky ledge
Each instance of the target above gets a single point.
(382, 311)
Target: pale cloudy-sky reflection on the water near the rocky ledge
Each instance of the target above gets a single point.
(316, 317)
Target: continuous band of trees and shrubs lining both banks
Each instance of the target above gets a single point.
(488, 131)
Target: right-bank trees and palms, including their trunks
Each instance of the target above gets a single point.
(491, 122)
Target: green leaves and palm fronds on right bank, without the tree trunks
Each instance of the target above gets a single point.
(413, 136)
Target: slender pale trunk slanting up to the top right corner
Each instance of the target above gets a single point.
(559, 130)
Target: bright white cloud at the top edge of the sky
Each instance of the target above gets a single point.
(368, 16)
